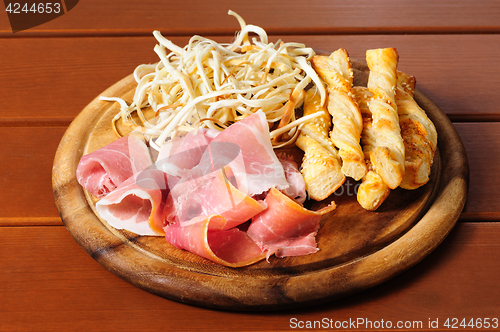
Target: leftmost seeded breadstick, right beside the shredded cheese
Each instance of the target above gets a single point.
(321, 164)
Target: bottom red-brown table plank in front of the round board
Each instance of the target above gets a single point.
(52, 284)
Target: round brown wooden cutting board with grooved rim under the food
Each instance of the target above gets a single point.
(358, 249)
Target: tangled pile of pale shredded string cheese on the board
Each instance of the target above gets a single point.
(212, 85)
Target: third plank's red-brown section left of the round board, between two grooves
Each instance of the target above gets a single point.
(26, 166)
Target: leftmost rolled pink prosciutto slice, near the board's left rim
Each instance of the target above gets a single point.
(103, 170)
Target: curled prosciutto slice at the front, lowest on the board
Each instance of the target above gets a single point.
(205, 237)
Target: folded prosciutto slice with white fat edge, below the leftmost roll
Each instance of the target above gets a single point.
(137, 204)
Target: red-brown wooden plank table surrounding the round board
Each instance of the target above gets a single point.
(49, 73)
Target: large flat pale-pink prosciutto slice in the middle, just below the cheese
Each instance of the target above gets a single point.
(245, 154)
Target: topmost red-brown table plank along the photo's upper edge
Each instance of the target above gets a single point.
(93, 17)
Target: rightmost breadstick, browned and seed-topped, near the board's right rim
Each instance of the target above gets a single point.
(418, 132)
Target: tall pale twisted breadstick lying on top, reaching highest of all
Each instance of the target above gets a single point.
(389, 154)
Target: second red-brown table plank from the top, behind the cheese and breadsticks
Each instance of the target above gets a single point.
(55, 83)
